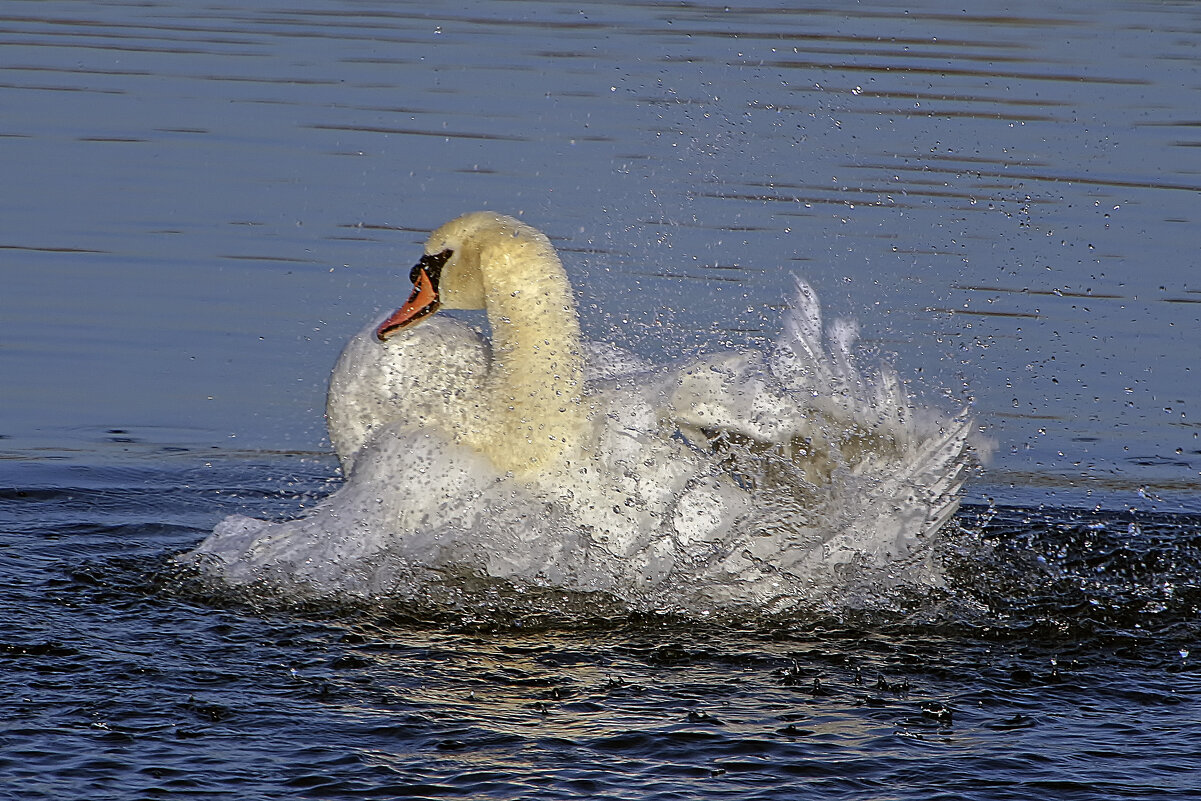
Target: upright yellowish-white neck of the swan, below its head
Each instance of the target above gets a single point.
(537, 376)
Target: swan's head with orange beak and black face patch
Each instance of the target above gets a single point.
(451, 273)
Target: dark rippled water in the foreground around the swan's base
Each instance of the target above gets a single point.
(1057, 665)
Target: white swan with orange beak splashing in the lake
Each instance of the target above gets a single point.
(739, 479)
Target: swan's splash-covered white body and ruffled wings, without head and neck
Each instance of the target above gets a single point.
(757, 481)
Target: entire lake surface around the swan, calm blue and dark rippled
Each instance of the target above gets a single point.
(204, 204)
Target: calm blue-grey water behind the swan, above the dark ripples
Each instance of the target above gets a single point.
(211, 201)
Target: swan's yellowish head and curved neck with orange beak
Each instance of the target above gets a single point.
(525, 410)
